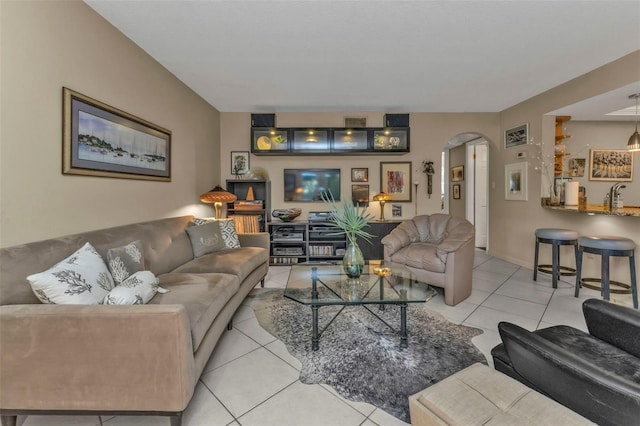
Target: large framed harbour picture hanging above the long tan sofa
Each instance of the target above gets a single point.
(100, 140)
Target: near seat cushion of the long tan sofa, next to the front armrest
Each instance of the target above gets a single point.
(203, 295)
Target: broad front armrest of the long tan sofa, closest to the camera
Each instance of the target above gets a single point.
(95, 357)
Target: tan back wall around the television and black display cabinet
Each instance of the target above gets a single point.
(430, 133)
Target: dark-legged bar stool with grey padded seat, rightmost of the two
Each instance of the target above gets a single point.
(607, 246)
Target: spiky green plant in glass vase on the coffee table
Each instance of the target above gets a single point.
(351, 220)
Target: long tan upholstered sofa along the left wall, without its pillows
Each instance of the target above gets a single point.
(120, 359)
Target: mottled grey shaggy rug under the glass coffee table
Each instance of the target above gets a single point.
(360, 357)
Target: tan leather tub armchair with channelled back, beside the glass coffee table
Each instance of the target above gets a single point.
(439, 249)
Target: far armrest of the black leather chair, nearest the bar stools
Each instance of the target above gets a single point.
(615, 324)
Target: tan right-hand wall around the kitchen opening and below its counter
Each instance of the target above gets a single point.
(512, 223)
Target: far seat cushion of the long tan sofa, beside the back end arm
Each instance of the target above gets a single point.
(240, 262)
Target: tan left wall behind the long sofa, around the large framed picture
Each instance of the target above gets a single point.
(48, 45)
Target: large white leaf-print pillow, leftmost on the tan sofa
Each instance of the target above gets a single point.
(80, 279)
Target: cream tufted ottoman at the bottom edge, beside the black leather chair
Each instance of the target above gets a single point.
(479, 395)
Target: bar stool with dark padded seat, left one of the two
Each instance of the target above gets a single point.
(555, 237)
